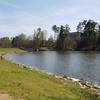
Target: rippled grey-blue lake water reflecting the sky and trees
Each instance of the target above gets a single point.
(82, 65)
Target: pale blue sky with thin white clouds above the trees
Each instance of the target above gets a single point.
(23, 16)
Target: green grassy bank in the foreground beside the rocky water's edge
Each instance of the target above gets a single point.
(33, 85)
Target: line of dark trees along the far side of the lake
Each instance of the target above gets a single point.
(87, 37)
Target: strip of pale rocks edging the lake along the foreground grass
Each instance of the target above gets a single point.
(82, 83)
